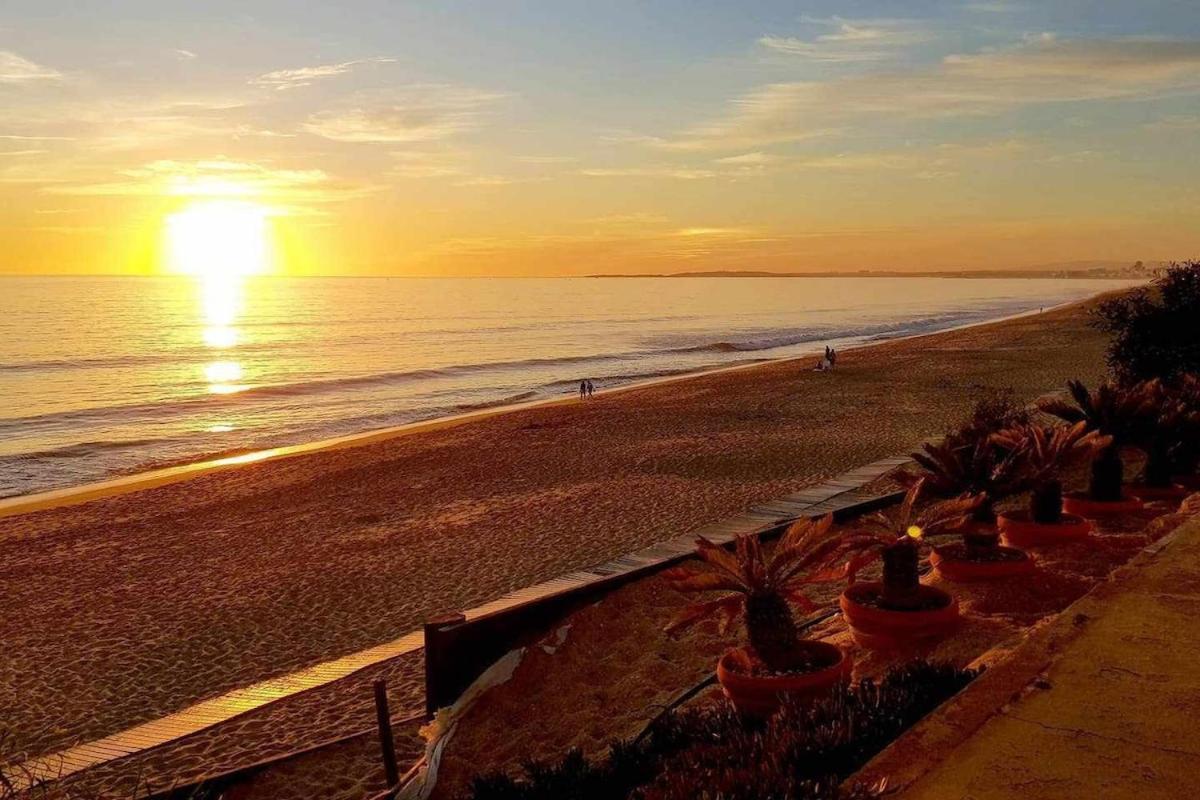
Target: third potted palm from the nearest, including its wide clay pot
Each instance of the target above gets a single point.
(981, 468)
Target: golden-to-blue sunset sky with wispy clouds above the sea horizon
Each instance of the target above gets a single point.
(573, 137)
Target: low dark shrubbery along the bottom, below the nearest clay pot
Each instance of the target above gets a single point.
(712, 754)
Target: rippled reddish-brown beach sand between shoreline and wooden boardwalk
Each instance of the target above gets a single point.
(127, 609)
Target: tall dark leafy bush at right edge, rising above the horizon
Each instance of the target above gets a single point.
(1155, 330)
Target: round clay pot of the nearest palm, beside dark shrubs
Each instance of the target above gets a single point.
(761, 695)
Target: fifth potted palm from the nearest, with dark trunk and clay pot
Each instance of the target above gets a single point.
(1114, 412)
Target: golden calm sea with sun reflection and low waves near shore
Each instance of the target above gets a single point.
(105, 376)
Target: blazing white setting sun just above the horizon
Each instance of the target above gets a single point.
(219, 238)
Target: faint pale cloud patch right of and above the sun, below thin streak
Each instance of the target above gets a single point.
(418, 113)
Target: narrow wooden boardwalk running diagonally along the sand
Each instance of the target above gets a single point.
(825, 498)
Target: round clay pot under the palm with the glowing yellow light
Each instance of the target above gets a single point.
(884, 629)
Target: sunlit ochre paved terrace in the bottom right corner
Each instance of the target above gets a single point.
(1102, 703)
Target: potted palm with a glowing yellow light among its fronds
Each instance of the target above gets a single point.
(898, 610)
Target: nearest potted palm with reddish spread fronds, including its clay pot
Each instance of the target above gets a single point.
(761, 591)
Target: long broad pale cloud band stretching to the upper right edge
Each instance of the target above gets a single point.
(1042, 70)
